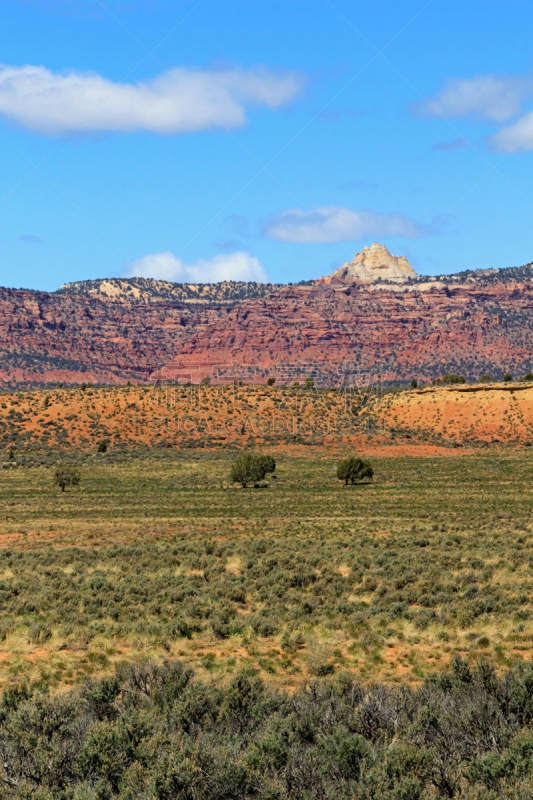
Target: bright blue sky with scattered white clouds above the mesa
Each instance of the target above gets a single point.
(204, 140)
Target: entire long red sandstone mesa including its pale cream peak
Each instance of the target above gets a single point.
(117, 331)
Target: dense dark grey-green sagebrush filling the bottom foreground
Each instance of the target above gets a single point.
(157, 733)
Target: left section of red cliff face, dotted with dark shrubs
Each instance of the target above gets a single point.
(49, 338)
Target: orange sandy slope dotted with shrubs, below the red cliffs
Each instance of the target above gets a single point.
(216, 415)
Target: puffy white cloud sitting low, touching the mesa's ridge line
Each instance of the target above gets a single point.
(240, 266)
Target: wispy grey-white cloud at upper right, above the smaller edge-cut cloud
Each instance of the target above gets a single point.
(492, 97)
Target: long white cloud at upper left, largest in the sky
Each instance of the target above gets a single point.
(177, 101)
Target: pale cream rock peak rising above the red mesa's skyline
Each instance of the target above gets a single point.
(373, 264)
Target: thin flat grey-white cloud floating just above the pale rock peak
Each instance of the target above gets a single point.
(335, 224)
